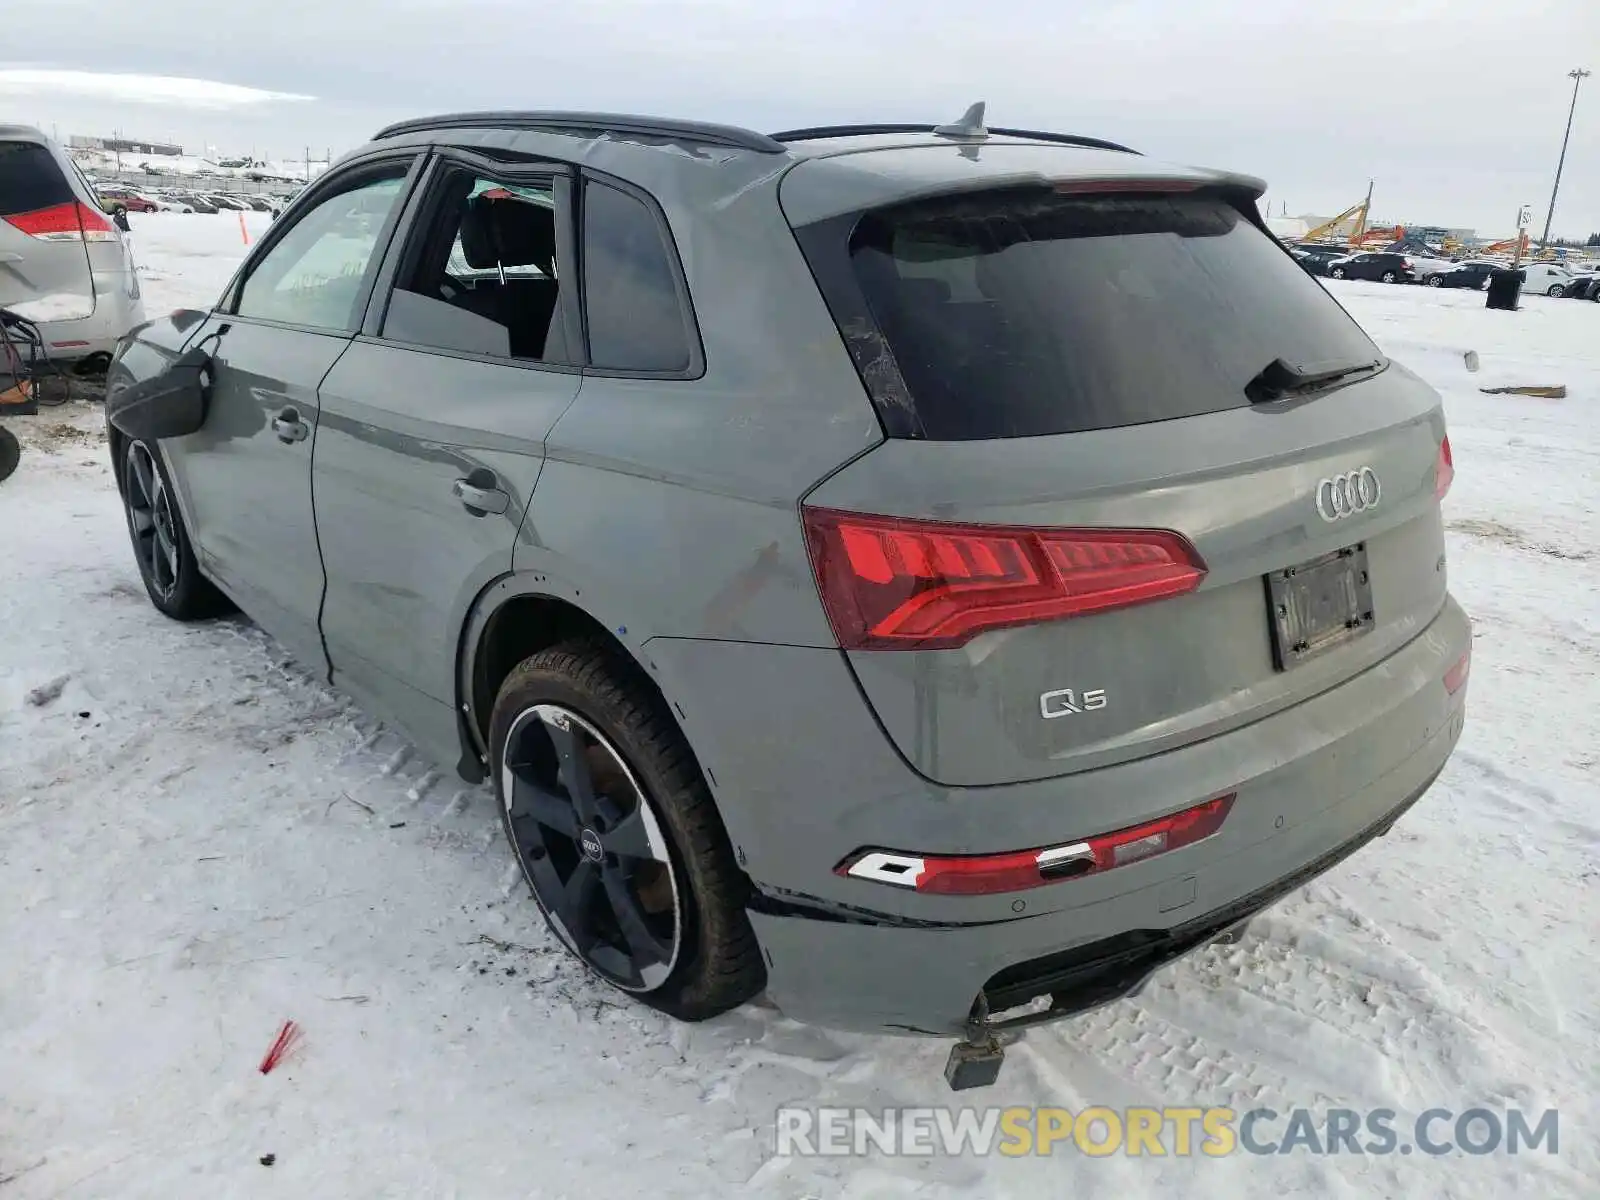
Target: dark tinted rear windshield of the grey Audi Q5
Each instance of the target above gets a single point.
(1034, 313)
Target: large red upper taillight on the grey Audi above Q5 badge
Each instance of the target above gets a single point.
(892, 583)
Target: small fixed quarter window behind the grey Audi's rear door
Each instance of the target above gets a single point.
(636, 321)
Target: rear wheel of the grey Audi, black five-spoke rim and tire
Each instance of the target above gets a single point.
(588, 692)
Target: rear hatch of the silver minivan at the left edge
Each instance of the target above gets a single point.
(46, 231)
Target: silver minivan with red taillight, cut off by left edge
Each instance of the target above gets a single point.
(63, 263)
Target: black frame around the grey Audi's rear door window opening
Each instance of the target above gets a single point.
(422, 210)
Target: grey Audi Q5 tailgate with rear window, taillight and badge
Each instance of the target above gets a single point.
(1145, 481)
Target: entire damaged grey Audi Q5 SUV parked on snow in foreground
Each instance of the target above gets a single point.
(935, 574)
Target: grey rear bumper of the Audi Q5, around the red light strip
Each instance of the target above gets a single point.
(801, 786)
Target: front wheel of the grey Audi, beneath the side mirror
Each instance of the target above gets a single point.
(161, 543)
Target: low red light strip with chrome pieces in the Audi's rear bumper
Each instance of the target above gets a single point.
(1023, 870)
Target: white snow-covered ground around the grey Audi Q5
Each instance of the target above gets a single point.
(199, 842)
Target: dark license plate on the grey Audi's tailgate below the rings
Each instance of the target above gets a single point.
(1319, 606)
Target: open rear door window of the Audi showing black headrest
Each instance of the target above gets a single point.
(482, 274)
